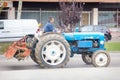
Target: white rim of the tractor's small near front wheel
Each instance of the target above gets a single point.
(101, 59)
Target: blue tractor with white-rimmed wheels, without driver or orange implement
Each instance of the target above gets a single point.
(53, 50)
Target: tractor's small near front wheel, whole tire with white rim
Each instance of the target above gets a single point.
(100, 58)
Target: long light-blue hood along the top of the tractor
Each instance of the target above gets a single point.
(83, 35)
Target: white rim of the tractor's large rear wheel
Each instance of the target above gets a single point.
(53, 52)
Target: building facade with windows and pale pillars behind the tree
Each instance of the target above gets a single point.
(102, 12)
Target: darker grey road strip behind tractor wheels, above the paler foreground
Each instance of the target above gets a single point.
(28, 64)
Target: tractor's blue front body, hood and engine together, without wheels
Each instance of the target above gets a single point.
(84, 42)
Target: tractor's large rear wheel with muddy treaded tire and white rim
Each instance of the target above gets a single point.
(51, 61)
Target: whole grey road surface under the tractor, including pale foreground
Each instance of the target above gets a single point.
(76, 69)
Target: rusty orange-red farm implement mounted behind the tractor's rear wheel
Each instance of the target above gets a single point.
(18, 49)
